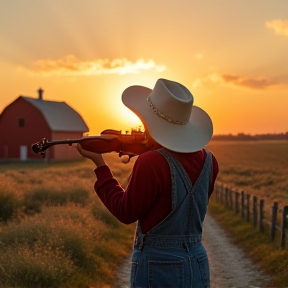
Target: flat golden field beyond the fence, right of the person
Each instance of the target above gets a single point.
(259, 168)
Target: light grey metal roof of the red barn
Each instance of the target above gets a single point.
(59, 115)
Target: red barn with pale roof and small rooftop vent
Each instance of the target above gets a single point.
(27, 120)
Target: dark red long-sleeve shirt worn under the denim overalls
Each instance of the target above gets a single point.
(148, 195)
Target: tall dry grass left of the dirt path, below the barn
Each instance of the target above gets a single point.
(55, 232)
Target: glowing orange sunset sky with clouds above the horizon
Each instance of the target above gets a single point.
(232, 56)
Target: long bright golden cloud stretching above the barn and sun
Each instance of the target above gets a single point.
(71, 66)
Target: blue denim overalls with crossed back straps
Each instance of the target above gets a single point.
(171, 254)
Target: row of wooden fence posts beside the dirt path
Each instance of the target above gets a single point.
(255, 211)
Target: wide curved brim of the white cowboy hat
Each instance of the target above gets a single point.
(186, 138)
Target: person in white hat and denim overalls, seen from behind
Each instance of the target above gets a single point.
(169, 188)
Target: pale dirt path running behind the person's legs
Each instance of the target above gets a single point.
(229, 266)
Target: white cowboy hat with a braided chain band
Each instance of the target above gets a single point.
(169, 115)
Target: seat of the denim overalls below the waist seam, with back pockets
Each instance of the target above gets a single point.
(170, 267)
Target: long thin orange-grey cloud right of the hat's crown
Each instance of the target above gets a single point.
(234, 81)
